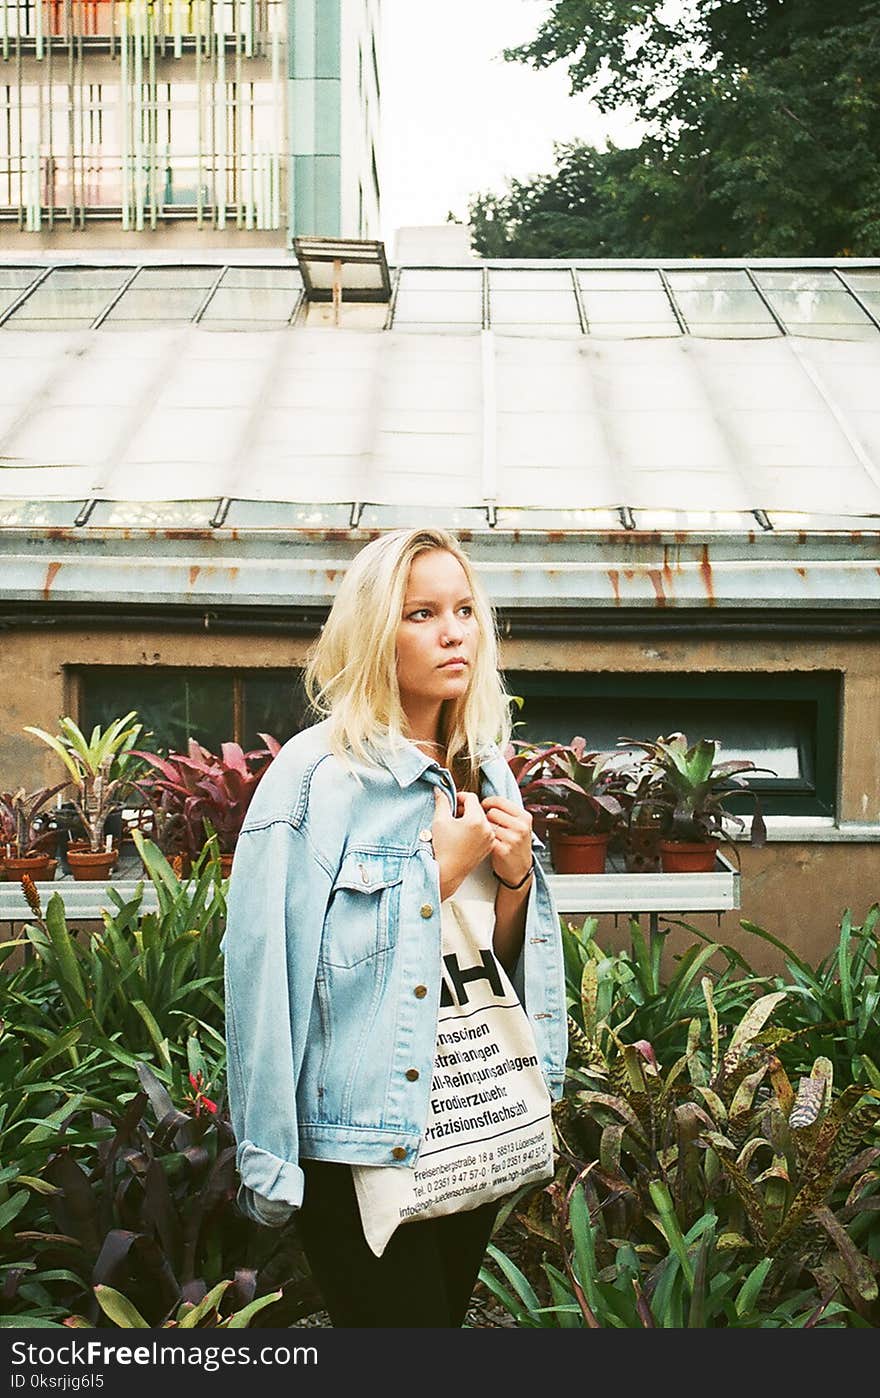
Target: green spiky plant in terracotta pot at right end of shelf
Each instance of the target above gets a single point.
(689, 789)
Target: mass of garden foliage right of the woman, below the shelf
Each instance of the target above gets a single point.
(699, 1183)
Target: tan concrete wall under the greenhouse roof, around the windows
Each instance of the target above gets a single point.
(797, 891)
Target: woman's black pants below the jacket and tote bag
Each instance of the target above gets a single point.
(426, 1276)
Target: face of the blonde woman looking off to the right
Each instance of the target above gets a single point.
(439, 634)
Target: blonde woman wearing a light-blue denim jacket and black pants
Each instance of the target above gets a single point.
(359, 833)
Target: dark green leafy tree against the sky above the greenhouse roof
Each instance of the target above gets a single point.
(763, 134)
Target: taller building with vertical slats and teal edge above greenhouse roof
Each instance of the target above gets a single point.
(167, 124)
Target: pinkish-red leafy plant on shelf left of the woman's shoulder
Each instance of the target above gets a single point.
(198, 793)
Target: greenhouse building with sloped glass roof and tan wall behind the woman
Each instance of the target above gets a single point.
(668, 476)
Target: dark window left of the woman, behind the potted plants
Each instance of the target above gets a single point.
(213, 707)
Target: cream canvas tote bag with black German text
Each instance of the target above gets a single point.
(489, 1126)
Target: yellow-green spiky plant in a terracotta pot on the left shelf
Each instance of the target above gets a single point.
(103, 770)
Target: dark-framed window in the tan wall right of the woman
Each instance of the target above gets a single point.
(786, 722)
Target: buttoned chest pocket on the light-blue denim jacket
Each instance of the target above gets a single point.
(364, 909)
